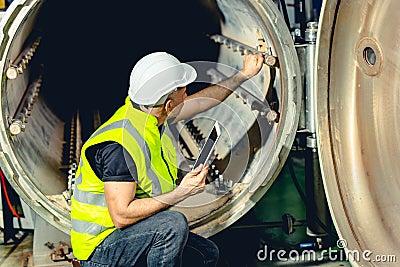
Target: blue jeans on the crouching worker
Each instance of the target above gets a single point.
(160, 240)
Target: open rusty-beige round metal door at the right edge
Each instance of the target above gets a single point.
(358, 125)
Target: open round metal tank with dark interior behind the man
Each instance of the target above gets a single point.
(79, 76)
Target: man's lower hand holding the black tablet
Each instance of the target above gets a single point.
(194, 182)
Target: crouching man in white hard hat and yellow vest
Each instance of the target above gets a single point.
(126, 179)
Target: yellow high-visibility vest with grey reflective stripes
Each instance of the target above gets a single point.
(156, 164)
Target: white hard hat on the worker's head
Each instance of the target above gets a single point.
(156, 75)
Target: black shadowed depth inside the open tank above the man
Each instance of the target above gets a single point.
(88, 50)
